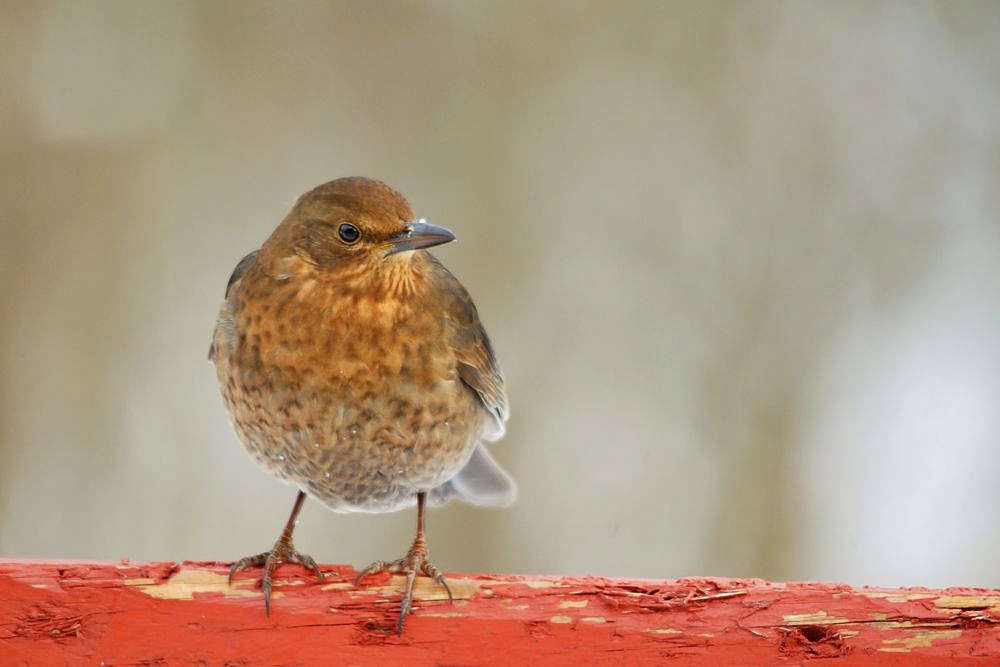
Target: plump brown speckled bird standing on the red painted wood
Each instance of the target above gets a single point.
(354, 366)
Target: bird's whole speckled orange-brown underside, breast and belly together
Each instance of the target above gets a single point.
(351, 396)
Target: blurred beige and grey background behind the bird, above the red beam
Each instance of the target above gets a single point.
(740, 261)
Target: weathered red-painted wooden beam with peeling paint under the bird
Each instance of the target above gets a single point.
(54, 613)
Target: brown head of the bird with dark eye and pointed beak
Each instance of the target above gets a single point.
(354, 221)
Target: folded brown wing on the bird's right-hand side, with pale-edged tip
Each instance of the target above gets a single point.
(476, 362)
